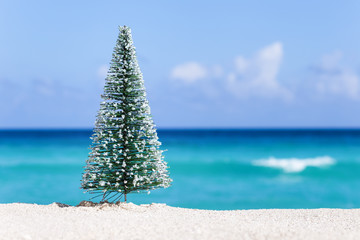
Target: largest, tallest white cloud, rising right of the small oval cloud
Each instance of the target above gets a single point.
(258, 76)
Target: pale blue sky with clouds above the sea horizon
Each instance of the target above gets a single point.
(205, 63)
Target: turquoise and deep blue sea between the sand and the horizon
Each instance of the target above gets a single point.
(211, 169)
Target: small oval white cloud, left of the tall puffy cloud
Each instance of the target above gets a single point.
(189, 72)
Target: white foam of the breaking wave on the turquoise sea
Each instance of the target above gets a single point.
(294, 164)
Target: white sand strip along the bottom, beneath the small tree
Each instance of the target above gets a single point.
(156, 221)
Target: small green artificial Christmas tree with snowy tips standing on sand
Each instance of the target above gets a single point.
(125, 154)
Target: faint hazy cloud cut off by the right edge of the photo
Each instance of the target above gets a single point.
(334, 79)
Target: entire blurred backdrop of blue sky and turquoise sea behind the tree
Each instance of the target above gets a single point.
(256, 102)
